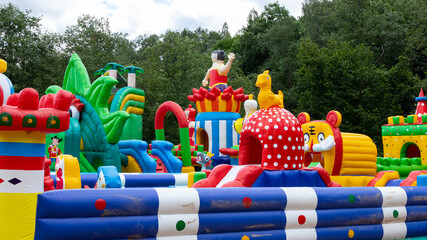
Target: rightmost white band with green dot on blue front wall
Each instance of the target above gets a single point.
(394, 212)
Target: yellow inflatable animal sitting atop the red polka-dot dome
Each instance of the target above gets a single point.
(266, 98)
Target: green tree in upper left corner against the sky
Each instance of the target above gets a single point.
(32, 55)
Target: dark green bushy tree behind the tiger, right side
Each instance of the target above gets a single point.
(344, 78)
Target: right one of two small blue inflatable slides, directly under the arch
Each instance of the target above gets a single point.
(163, 150)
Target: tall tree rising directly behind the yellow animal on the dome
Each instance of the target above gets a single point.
(270, 42)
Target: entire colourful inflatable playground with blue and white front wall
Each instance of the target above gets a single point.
(74, 165)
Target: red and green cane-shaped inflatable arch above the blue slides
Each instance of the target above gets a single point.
(183, 130)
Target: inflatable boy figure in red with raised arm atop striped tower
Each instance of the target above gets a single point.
(218, 72)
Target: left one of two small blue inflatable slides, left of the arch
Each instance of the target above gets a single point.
(138, 150)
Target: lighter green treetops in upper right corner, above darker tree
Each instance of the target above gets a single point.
(388, 27)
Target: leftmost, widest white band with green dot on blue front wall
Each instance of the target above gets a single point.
(178, 219)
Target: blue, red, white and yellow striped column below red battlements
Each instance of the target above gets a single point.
(21, 179)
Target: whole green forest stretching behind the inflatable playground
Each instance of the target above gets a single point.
(364, 58)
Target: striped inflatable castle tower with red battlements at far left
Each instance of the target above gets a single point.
(23, 129)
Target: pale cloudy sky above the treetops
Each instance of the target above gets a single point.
(137, 17)
